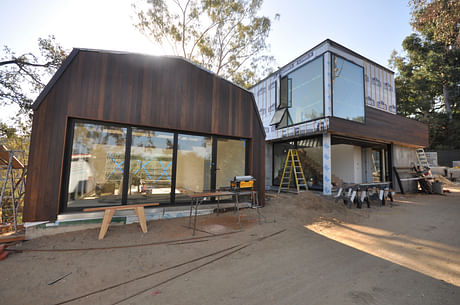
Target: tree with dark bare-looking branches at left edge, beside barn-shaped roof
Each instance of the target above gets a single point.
(23, 76)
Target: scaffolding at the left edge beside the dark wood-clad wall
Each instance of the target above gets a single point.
(12, 183)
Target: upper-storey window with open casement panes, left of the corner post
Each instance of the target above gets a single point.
(302, 93)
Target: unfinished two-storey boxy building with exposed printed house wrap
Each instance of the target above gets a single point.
(339, 109)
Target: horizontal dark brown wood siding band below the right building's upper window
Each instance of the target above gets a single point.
(384, 127)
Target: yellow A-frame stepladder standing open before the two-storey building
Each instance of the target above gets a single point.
(292, 168)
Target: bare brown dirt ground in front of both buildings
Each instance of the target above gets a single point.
(308, 250)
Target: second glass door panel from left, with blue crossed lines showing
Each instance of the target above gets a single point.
(150, 171)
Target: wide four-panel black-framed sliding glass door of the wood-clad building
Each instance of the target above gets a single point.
(114, 165)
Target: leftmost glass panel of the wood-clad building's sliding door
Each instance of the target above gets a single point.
(97, 165)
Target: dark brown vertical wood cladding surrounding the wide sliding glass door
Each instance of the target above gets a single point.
(156, 92)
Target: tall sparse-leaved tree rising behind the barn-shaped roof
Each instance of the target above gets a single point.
(224, 36)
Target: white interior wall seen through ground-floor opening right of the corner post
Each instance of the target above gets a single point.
(346, 163)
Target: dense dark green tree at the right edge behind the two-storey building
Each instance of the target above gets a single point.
(428, 73)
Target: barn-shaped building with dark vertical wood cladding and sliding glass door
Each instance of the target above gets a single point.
(116, 128)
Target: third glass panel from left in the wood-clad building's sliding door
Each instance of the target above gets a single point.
(194, 157)
